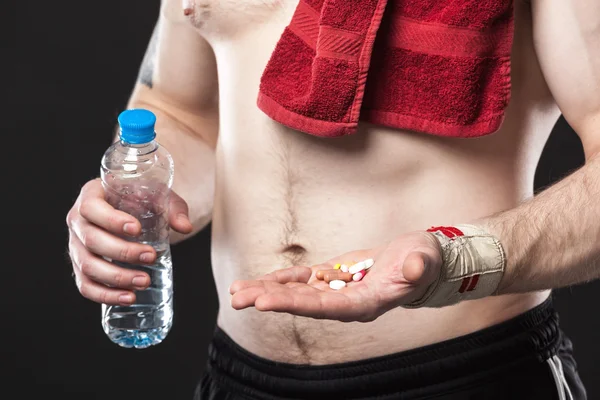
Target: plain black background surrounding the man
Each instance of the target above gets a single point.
(71, 67)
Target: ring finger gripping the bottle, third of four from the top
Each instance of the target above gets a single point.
(101, 271)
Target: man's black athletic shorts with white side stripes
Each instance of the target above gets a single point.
(527, 357)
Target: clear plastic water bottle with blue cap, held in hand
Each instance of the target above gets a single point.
(137, 175)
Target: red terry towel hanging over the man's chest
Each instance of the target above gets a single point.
(434, 66)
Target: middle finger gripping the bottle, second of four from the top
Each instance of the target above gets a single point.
(105, 244)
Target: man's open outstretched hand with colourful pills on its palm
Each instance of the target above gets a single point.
(402, 271)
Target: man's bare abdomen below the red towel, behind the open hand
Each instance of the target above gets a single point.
(286, 198)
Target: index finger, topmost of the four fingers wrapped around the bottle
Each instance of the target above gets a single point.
(96, 210)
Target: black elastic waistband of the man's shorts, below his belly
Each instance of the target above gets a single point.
(533, 335)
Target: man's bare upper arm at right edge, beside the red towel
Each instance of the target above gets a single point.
(567, 42)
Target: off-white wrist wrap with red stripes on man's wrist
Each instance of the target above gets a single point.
(472, 267)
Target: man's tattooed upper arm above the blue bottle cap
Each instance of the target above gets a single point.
(178, 74)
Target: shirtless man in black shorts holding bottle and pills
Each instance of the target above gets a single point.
(271, 195)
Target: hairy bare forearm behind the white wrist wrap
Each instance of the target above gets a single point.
(552, 240)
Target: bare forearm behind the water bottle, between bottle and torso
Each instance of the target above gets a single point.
(190, 142)
